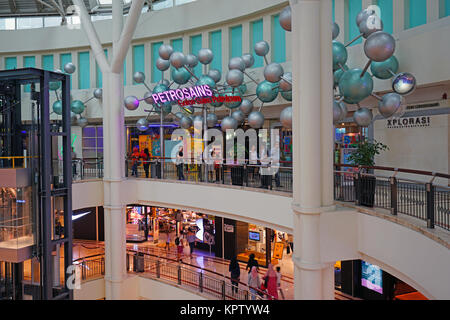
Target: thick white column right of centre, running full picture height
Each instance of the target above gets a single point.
(312, 164)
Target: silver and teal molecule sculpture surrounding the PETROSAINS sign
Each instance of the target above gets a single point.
(232, 91)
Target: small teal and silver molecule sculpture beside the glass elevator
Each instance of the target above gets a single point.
(77, 107)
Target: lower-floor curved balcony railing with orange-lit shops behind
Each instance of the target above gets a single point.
(178, 273)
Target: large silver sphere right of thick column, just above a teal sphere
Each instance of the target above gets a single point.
(379, 46)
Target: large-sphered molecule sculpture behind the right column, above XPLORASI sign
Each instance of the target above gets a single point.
(353, 85)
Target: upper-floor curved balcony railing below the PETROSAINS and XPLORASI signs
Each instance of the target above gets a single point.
(421, 197)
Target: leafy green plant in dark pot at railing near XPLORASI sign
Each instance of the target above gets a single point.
(365, 185)
